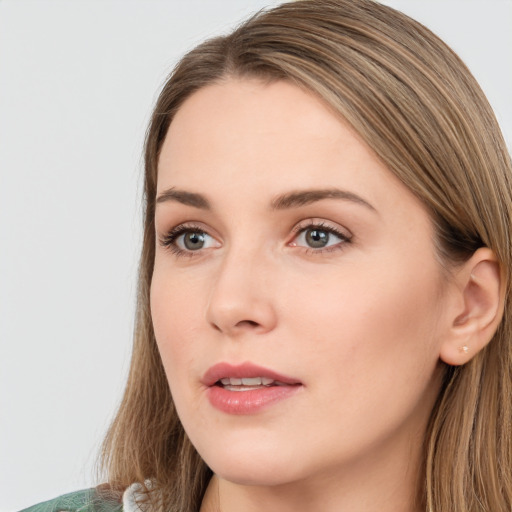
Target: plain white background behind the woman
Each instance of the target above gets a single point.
(77, 82)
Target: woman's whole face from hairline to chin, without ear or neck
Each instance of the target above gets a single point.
(288, 254)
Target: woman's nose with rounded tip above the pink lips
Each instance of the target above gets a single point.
(241, 298)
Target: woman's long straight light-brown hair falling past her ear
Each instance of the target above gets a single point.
(420, 110)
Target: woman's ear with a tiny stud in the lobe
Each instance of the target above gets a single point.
(478, 308)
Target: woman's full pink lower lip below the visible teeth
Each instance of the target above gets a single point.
(248, 402)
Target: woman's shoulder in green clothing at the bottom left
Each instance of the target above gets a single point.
(88, 500)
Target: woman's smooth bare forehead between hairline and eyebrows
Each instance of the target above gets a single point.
(247, 140)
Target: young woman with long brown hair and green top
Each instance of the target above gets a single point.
(324, 302)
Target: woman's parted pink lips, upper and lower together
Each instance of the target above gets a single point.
(251, 401)
